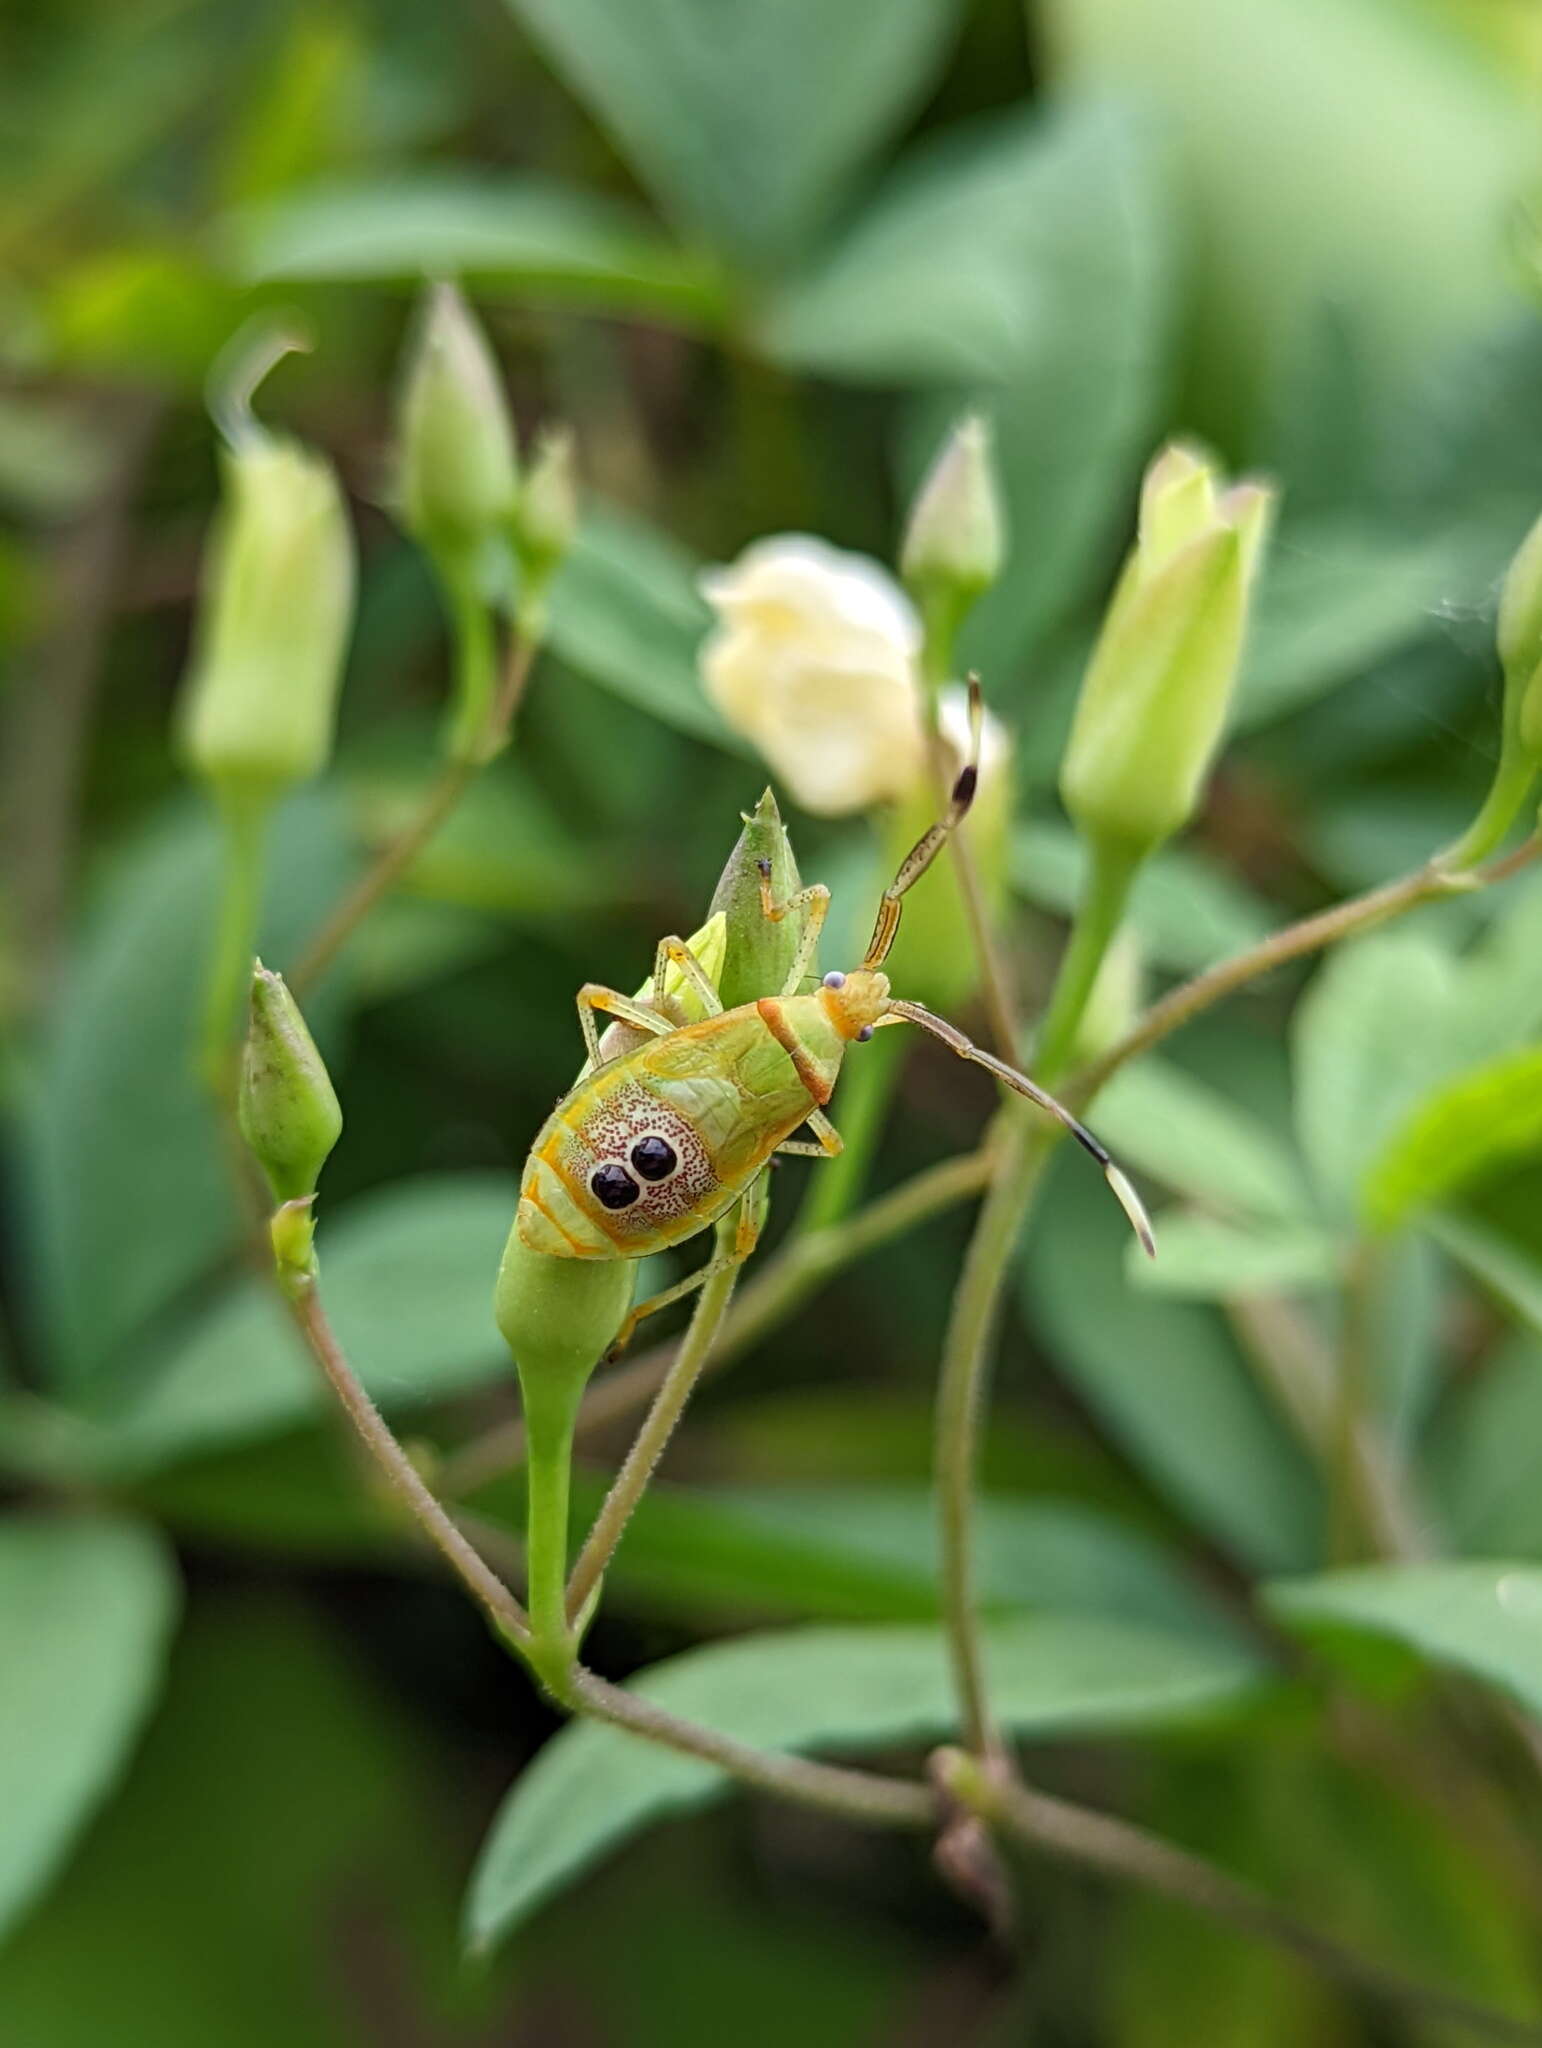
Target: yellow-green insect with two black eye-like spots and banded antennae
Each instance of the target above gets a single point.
(662, 1142)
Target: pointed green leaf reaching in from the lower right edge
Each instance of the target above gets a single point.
(1480, 1617)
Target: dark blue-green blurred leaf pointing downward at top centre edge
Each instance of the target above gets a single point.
(746, 122)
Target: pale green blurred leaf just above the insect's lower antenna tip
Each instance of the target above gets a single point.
(1197, 1142)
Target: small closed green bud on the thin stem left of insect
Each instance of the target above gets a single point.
(288, 1107)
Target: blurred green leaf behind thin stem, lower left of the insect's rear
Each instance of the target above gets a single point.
(406, 1279)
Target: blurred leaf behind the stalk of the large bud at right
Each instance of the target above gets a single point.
(1187, 910)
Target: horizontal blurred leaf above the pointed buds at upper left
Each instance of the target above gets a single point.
(531, 234)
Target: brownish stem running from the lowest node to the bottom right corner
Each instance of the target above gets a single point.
(1119, 1850)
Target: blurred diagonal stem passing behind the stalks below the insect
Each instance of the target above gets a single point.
(785, 1283)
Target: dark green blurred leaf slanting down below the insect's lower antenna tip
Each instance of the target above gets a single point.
(1168, 1383)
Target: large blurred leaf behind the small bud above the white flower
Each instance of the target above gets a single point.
(1023, 265)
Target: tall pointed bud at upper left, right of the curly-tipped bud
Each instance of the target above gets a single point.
(458, 480)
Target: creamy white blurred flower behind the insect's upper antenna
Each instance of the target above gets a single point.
(816, 660)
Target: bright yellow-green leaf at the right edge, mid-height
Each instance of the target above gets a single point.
(1475, 1125)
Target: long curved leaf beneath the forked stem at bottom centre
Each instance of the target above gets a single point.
(839, 1691)
